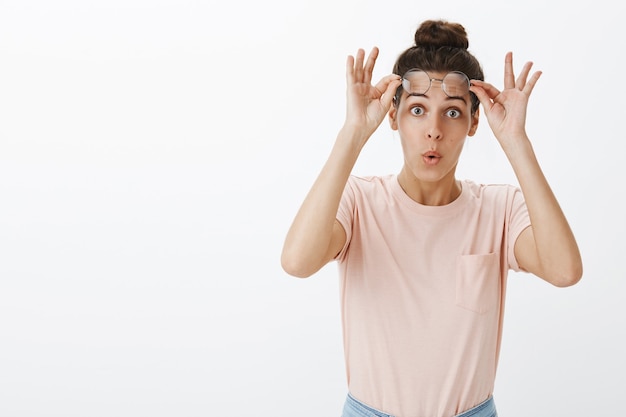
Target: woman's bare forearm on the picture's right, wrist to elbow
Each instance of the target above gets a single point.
(557, 254)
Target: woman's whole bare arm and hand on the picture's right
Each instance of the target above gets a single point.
(547, 248)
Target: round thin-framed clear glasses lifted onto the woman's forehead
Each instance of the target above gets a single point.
(417, 82)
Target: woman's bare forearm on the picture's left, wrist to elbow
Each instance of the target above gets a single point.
(306, 246)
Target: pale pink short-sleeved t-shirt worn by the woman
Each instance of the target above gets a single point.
(422, 294)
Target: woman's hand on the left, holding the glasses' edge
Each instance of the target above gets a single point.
(367, 105)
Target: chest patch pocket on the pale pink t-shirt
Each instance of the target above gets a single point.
(477, 278)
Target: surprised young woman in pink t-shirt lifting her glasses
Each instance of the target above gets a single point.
(423, 256)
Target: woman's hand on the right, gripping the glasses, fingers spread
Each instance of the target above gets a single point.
(506, 110)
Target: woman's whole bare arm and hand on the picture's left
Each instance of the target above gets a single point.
(315, 236)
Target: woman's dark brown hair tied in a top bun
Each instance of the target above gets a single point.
(440, 46)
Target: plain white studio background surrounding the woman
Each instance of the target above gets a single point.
(153, 154)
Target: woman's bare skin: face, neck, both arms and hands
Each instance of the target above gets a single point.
(433, 123)
